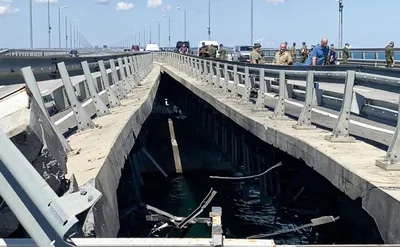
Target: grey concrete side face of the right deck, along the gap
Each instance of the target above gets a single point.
(351, 184)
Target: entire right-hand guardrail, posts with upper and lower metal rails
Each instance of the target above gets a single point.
(242, 80)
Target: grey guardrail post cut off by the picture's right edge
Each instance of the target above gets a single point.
(391, 162)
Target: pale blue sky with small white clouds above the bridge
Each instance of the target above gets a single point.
(367, 23)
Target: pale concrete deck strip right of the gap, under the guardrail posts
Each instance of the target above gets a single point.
(348, 166)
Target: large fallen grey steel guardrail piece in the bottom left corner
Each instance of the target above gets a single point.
(48, 219)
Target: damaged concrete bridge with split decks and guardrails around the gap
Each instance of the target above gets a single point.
(83, 127)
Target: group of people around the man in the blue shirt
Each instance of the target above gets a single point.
(318, 55)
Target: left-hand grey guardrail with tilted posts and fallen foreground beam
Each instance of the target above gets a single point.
(49, 219)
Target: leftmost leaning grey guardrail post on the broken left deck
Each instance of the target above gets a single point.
(44, 117)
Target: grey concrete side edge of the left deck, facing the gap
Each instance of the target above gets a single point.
(106, 215)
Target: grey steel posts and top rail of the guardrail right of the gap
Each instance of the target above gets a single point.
(238, 80)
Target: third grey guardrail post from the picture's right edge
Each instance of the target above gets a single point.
(304, 121)
